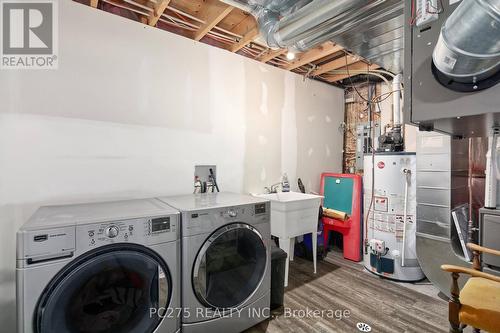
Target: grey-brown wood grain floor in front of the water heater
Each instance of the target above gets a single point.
(343, 285)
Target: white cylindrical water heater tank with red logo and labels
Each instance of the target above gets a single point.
(391, 241)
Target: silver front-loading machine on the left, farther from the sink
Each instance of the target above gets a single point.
(99, 268)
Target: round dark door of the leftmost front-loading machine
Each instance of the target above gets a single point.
(108, 290)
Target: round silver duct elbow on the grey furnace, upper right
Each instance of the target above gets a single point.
(468, 49)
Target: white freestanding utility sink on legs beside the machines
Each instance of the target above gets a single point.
(293, 214)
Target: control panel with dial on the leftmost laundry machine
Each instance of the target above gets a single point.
(146, 231)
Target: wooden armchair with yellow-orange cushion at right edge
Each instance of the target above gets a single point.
(478, 303)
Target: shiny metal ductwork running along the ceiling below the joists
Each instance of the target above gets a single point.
(372, 29)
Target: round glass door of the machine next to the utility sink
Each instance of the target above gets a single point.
(230, 266)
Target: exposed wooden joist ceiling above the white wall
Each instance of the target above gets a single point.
(220, 25)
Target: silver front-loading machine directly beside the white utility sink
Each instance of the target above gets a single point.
(225, 261)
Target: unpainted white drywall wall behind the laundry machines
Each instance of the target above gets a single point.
(132, 109)
